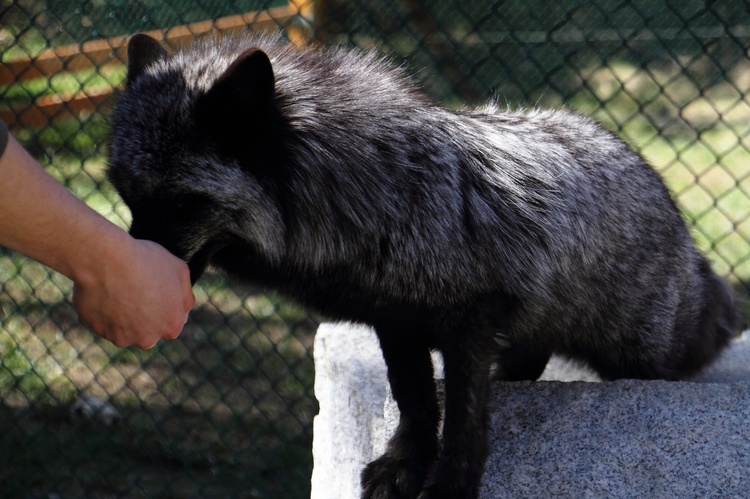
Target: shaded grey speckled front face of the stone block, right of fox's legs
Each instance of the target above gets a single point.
(621, 439)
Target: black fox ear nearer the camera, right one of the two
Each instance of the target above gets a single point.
(239, 96)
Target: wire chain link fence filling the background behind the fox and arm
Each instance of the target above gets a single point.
(226, 410)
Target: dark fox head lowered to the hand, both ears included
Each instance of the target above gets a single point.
(189, 150)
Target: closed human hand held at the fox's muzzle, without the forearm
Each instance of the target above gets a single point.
(137, 295)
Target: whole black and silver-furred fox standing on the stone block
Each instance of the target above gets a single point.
(496, 237)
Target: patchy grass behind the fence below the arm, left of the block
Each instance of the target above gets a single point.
(226, 410)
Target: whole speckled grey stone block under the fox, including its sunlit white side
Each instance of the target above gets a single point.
(551, 438)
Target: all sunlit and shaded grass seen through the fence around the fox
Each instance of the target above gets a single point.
(227, 409)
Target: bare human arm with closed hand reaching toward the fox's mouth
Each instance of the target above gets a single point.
(128, 291)
